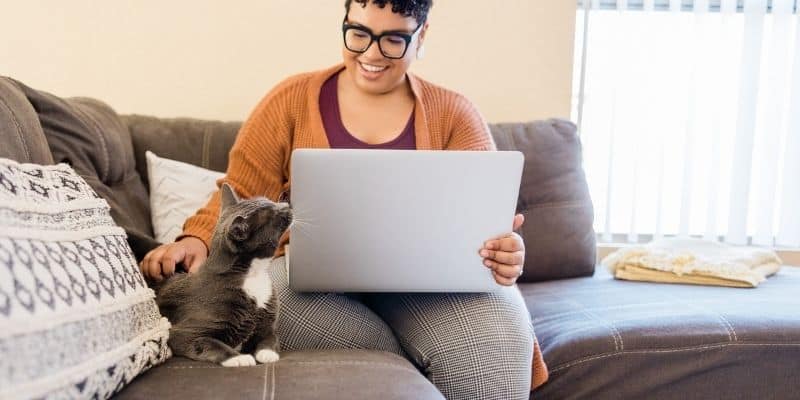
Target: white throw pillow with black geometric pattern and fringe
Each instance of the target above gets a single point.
(76, 317)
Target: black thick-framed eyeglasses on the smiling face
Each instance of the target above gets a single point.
(392, 44)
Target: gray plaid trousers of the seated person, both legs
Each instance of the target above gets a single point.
(471, 346)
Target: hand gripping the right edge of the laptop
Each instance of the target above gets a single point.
(505, 255)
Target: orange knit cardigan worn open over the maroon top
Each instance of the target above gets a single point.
(289, 118)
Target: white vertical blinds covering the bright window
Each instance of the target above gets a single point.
(691, 119)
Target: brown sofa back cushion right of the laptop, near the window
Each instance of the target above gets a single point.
(554, 197)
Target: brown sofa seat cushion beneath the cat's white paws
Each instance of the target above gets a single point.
(329, 374)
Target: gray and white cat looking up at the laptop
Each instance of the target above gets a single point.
(229, 305)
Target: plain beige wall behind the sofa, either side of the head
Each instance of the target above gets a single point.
(214, 59)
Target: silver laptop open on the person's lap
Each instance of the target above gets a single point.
(398, 220)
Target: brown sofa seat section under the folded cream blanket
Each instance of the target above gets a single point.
(609, 339)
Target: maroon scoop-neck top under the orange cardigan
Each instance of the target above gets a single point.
(340, 138)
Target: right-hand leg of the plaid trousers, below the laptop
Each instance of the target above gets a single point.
(470, 345)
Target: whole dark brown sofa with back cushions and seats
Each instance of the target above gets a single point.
(601, 338)
